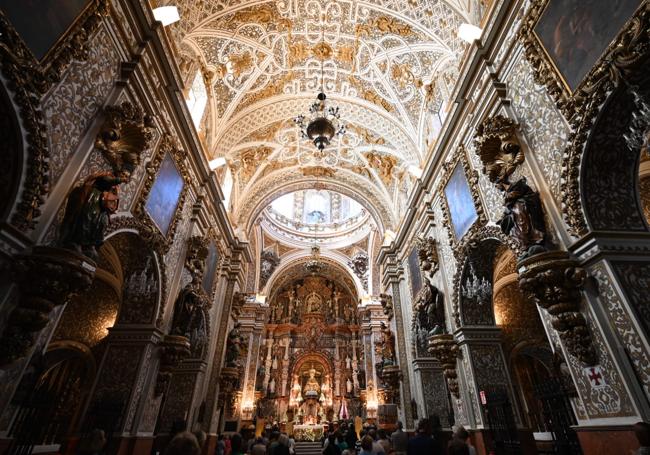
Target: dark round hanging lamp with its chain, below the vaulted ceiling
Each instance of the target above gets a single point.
(324, 122)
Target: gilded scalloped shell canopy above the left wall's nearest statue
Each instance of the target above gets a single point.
(124, 136)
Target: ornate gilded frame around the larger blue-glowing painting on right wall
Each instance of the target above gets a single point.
(472, 177)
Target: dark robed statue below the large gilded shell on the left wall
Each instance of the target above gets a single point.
(88, 211)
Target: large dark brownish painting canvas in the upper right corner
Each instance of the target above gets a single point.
(575, 33)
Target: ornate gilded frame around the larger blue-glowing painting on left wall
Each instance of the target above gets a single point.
(167, 146)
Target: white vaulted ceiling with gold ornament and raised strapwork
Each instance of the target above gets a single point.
(388, 65)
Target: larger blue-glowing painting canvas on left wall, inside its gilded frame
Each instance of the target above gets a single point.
(165, 192)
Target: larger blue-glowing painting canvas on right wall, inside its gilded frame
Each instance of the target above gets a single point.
(460, 202)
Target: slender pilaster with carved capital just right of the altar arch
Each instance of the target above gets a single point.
(393, 273)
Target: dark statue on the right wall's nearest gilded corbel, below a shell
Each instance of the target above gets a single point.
(523, 217)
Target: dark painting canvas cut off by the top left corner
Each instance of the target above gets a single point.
(41, 23)
